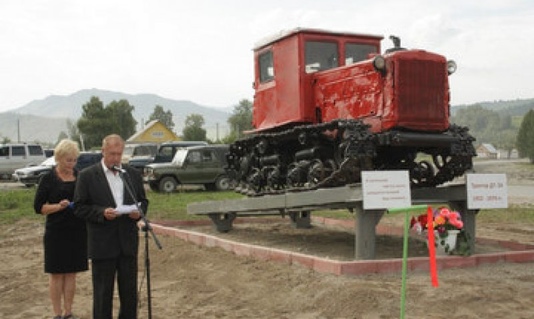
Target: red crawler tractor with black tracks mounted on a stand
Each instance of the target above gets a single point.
(329, 105)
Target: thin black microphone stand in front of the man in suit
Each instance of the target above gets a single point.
(146, 228)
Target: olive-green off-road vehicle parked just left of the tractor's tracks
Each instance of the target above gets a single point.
(200, 165)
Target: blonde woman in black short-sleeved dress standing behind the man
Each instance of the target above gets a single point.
(65, 237)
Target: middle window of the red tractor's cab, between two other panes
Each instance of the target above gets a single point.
(321, 56)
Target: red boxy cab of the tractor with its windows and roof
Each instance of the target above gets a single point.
(284, 66)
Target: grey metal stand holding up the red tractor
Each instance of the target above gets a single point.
(299, 206)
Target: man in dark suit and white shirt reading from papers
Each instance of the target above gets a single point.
(111, 214)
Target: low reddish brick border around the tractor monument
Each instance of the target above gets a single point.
(518, 253)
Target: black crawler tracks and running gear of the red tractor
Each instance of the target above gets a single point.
(333, 154)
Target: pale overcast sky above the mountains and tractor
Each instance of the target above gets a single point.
(201, 50)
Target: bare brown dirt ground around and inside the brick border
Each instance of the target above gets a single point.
(190, 281)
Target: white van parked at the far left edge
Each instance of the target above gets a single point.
(17, 155)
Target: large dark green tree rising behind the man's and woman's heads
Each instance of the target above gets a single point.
(96, 121)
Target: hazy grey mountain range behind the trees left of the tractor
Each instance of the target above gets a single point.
(43, 120)
